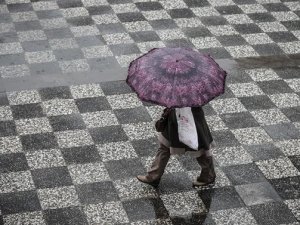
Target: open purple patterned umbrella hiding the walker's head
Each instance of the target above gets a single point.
(176, 77)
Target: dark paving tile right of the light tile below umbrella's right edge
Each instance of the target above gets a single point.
(257, 102)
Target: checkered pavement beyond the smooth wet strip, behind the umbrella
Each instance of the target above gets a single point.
(66, 36)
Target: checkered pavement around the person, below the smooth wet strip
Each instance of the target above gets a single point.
(69, 155)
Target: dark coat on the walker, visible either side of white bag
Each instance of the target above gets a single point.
(204, 135)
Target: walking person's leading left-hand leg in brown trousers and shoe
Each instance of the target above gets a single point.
(157, 168)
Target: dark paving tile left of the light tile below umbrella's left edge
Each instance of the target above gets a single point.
(92, 104)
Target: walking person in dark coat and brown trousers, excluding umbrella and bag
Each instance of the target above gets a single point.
(169, 144)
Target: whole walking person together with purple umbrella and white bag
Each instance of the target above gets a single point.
(182, 80)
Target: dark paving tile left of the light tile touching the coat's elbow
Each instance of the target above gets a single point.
(108, 134)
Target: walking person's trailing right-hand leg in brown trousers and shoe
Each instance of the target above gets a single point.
(207, 176)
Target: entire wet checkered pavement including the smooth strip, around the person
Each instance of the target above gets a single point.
(73, 136)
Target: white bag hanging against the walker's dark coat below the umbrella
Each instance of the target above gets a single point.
(187, 131)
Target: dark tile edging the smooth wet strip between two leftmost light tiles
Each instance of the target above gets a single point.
(62, 92)
